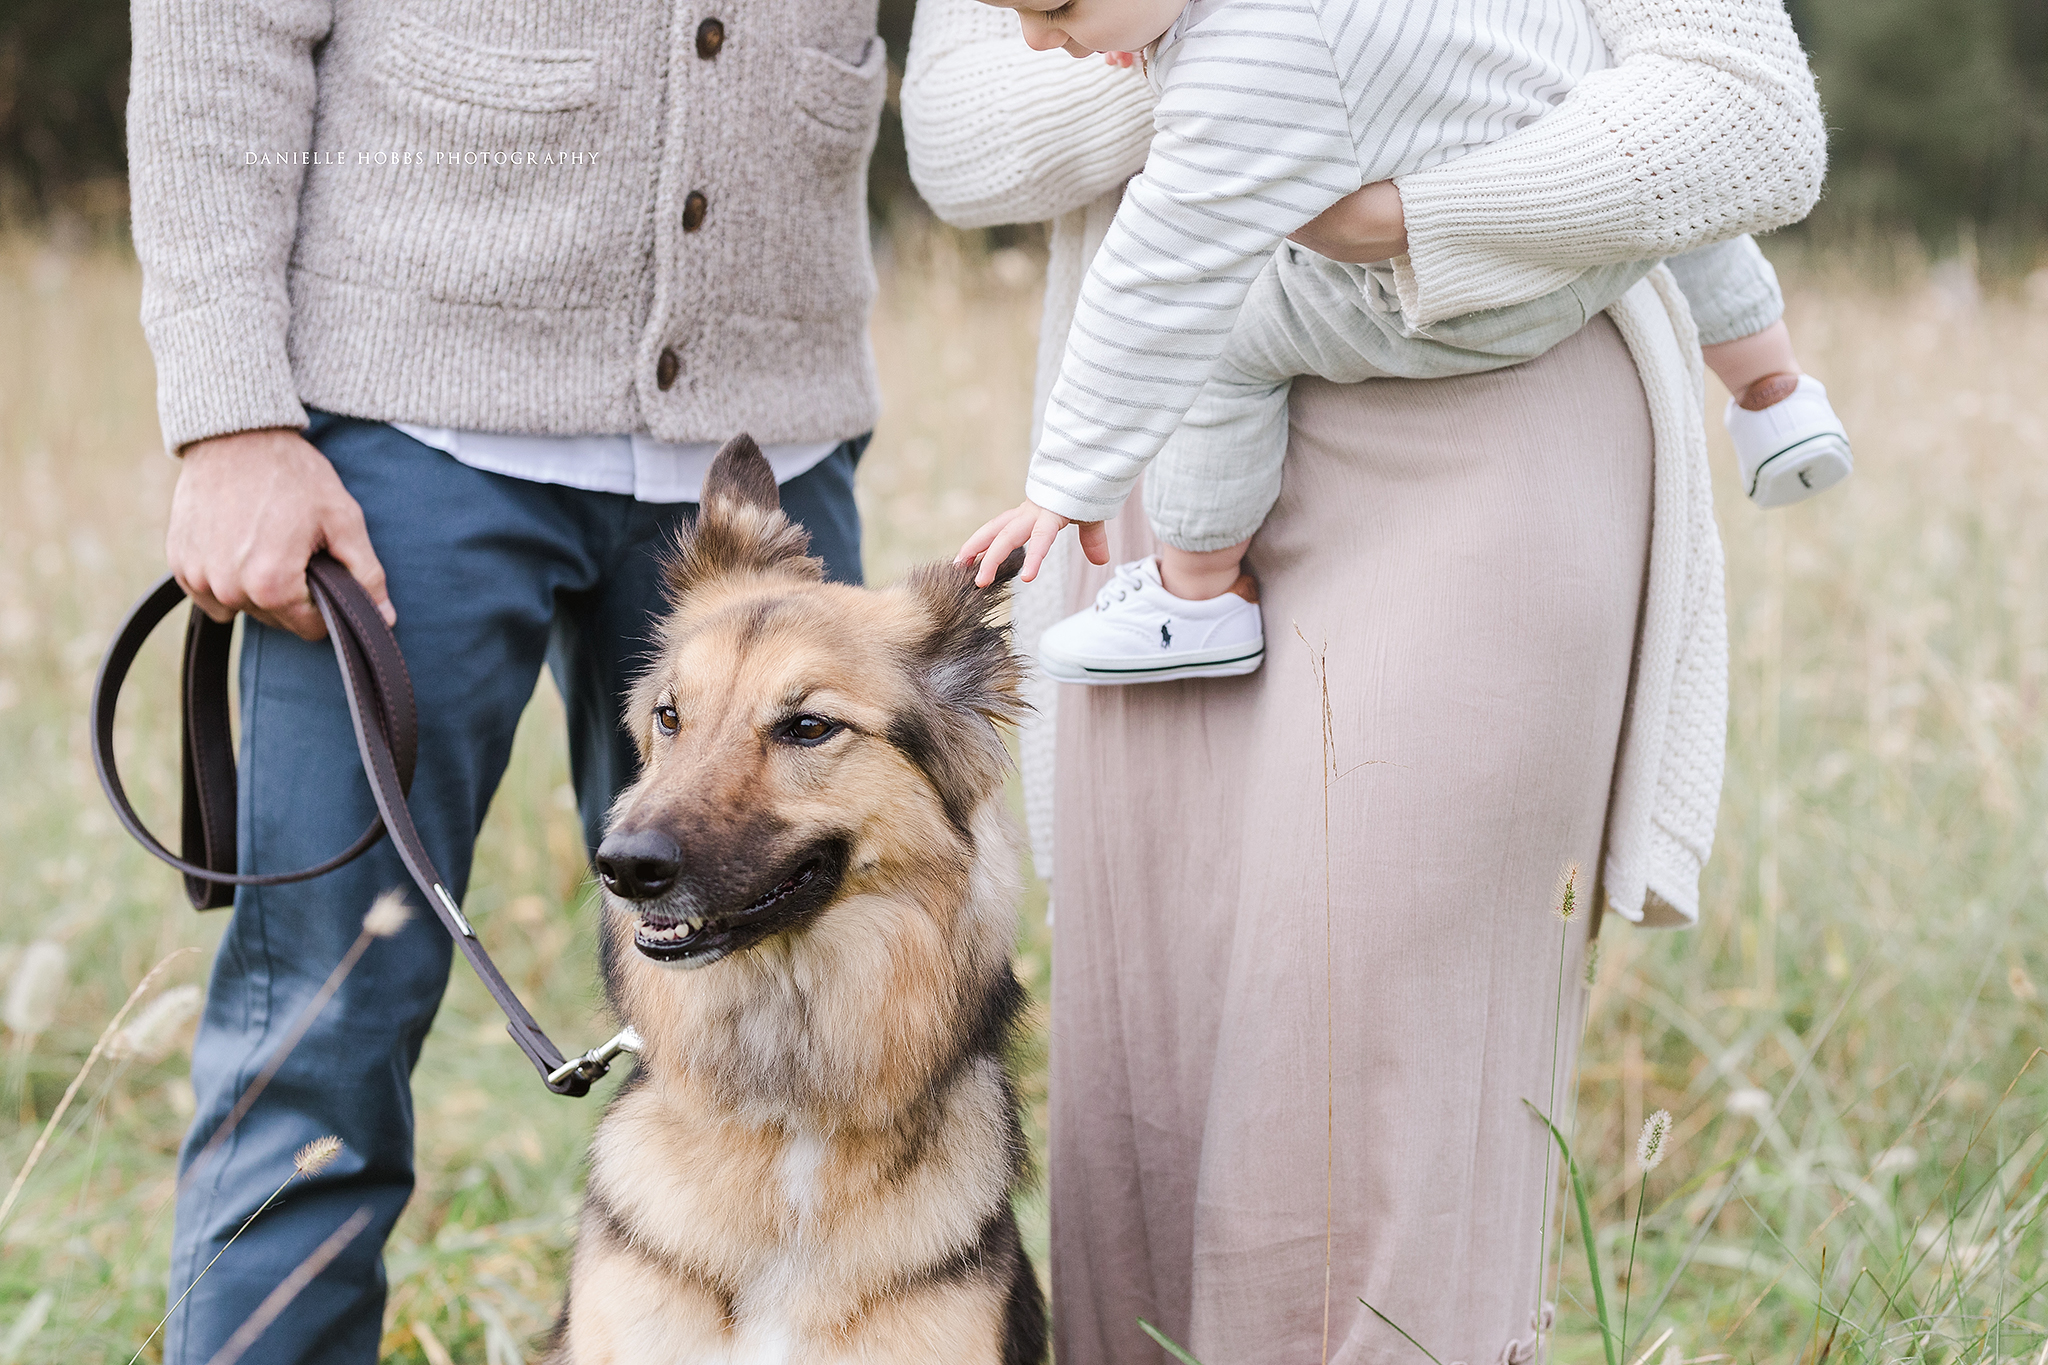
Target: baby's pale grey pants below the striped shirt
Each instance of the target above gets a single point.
(1220, 474)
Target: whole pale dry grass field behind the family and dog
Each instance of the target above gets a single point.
(1844, 1043)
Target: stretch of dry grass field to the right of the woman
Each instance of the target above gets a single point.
(1881, 844)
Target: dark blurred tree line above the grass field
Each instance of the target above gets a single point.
(1938, 109)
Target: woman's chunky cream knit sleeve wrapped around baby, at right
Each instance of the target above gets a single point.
(1705, 128)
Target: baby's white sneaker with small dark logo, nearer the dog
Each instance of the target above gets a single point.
(1140, 631)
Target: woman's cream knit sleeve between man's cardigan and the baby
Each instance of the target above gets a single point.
(1002, 134)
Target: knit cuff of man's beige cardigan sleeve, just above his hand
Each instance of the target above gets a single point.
(222, 367)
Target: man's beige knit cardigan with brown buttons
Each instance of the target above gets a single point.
(511, 218)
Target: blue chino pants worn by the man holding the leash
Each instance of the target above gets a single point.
(490, 578)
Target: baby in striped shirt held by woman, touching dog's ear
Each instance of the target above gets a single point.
(1197, 312)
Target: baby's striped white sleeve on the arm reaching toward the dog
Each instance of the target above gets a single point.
(1252, 140)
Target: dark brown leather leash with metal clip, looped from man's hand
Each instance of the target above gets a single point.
(388, 738)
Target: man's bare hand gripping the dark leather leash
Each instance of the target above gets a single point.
(247, 517)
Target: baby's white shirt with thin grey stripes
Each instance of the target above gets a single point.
(1269, 114)
